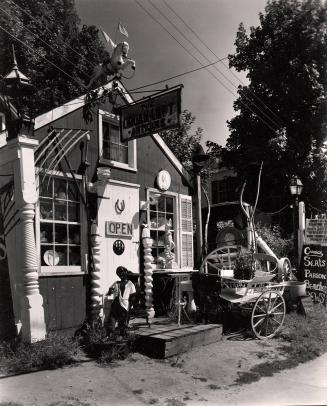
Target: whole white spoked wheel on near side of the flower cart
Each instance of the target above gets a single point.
(268, 314)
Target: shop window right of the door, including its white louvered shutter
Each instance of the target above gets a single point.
(173, 211)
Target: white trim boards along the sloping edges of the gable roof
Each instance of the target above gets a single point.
(73, 105)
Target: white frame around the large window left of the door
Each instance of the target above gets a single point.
(62, 269)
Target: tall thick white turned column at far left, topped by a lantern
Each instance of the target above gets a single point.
(32, 312)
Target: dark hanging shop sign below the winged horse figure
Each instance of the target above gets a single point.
(150, 115)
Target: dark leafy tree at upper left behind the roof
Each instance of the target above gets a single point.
(51, 48)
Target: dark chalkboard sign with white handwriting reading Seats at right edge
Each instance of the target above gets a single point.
(314, 271)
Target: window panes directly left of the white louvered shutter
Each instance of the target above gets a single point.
(161, 218)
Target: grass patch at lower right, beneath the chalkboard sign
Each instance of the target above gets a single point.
(302, 339)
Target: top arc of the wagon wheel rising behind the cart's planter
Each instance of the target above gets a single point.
(220, 258)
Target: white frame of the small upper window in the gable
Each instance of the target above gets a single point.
(114, 119)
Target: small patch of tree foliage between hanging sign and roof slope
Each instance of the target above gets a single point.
(181, 141)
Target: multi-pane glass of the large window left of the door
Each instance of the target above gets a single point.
(60, 224)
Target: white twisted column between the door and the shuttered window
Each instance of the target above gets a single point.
(148, 271)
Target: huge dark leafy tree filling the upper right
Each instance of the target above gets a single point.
(285, 61)
